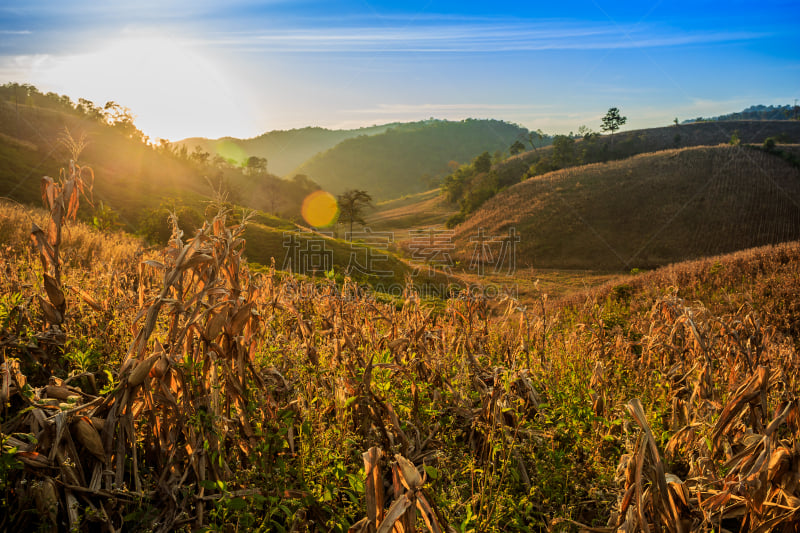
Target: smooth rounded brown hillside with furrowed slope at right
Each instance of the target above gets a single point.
(645, 211)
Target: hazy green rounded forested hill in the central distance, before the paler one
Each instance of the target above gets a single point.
(408, 158)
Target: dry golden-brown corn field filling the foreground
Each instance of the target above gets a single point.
(181, 390)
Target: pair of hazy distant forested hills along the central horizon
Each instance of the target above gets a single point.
(387, 161)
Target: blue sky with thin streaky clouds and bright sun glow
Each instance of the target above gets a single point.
(240, 68)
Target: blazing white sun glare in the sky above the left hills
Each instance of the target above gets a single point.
(173, 88)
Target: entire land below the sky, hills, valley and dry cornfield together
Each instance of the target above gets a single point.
(596, 333)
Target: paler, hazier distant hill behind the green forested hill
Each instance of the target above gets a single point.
(284, 150)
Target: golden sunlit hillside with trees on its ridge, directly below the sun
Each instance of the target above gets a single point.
(140, 182)
